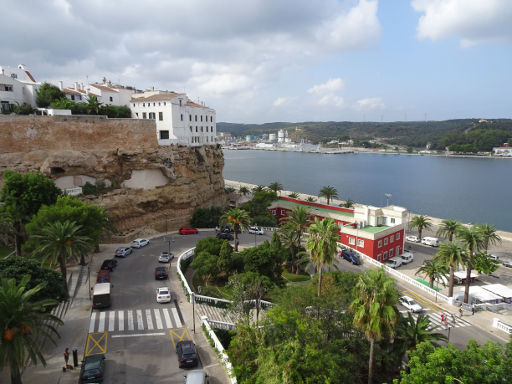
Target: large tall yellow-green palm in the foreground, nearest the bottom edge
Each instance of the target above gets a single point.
(374, 309)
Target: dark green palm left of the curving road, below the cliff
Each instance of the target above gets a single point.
(60, 242)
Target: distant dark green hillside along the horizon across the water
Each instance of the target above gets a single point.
(470, 135)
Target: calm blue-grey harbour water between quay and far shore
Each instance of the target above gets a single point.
(468, 189)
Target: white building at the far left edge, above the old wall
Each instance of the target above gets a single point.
(17, 85)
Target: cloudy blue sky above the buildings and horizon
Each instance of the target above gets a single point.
(257, 61)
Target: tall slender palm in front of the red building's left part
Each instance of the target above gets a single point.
(323, 236)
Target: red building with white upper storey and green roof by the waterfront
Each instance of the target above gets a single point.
(373, 231)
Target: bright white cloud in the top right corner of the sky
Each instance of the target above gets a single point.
(471, 21)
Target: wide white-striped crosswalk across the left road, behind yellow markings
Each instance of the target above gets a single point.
(136, 319)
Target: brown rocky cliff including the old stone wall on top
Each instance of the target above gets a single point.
(151, 186)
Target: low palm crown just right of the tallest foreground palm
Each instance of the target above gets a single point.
(417, 331)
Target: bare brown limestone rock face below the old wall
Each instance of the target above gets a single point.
(151, 186)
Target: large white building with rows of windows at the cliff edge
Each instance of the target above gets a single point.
(178, 120)
